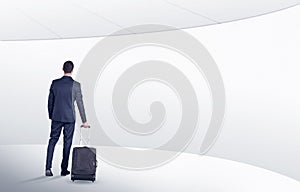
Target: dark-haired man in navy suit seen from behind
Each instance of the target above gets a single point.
(63, 93)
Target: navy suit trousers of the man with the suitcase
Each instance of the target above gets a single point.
(68, 131)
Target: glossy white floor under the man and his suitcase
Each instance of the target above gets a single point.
(22, 169)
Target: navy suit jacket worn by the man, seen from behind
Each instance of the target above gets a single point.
(63, 93)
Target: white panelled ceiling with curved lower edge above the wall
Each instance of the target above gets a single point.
(57, 19)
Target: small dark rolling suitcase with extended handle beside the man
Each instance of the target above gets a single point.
(84, 163)
